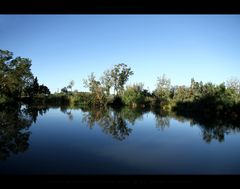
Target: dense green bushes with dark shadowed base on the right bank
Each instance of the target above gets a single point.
(208, 99)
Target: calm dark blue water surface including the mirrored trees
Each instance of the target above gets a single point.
(107, 141)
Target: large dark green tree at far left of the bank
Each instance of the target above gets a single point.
(16, 78)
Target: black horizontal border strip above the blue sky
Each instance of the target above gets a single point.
(120, 7)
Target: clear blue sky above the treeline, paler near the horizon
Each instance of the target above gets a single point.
(70, 47)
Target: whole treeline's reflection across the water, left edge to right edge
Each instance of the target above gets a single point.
(15, 123)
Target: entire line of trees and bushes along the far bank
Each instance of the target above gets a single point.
(17, 83)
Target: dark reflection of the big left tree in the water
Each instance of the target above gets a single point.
(14, 129)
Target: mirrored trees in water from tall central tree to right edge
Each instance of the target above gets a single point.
(114, 122)
